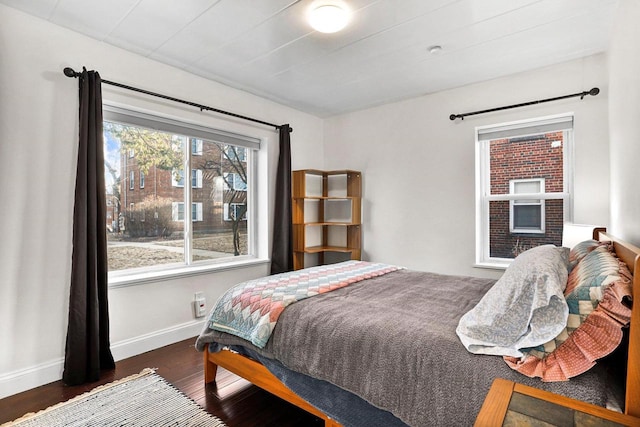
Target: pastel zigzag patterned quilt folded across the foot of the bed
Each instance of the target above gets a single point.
(251, 309)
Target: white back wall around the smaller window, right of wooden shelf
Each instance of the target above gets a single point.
(418, 166)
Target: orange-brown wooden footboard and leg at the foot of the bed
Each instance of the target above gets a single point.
(260, 376)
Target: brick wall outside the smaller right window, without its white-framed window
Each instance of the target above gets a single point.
(522, 158)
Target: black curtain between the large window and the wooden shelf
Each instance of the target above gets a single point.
(282, 249)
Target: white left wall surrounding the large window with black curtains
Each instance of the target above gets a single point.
(38, 149)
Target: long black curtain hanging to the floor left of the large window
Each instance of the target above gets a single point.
(87, 348)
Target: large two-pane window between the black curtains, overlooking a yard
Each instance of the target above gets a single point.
(155, 235)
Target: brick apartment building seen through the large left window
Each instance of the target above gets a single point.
(152, 200)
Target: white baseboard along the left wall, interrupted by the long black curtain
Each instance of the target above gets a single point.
(44, 373)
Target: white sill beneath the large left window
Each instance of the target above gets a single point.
(120, 280)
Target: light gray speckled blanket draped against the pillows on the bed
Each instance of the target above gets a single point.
(525, 308)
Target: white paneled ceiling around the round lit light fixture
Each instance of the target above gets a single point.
(267, 48)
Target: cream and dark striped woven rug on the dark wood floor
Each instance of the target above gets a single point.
(142, 400)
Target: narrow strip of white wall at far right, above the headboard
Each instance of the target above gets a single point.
(624, 107)
